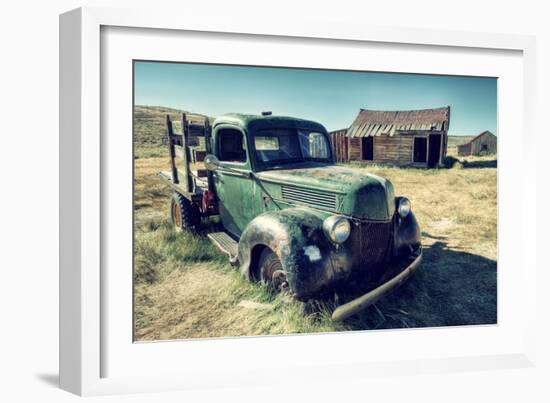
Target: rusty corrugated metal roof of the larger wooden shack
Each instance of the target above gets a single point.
(376, 123)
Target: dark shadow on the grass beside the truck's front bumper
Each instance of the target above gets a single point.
(451, 288)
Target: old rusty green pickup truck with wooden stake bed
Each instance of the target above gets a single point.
(291, 217)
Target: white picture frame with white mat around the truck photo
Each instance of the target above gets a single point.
(86, 345)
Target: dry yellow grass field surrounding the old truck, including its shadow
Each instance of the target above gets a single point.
(185, 288)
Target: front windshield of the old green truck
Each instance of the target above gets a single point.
(290, 145)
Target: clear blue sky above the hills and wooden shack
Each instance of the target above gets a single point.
(330, 97)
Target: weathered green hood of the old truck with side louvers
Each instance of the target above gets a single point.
(357, 193)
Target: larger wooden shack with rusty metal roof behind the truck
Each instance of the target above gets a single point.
(416, 137)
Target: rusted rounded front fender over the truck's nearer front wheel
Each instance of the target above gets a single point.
(295, 235)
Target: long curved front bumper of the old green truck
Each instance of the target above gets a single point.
(346, 310)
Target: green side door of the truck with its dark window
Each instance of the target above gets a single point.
(235, 187)
